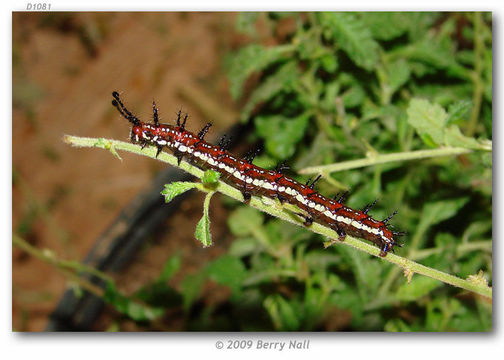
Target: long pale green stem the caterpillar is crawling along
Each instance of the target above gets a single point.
(285, 213)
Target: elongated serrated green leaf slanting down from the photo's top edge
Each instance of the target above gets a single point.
(352, 35)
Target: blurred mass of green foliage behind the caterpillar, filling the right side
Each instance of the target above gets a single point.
(338, 86)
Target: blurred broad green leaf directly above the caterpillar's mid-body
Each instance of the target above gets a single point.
(281, 134)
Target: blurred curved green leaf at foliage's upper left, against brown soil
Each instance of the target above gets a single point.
(250, 59)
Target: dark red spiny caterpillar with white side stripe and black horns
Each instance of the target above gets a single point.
(253, 180)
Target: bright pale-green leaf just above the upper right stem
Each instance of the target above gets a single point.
(428, 120)
